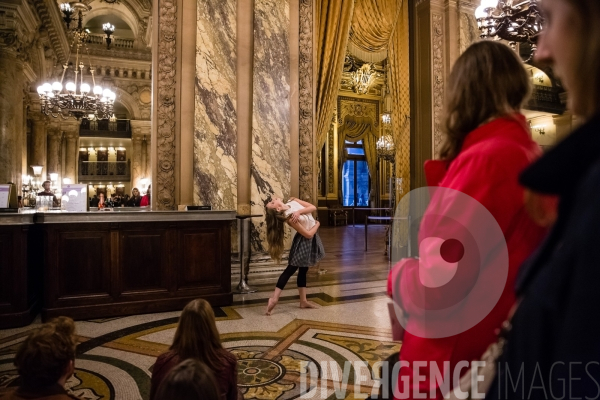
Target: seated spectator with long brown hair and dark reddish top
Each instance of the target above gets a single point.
(197, 337)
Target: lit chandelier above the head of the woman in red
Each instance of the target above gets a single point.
(511, 20)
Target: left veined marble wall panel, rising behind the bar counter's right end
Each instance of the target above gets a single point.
(215, 136)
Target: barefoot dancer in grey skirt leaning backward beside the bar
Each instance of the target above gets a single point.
(307, 248)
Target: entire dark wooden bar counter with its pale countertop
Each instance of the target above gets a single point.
(106, 264)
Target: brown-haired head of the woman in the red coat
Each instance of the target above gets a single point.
(487, 81)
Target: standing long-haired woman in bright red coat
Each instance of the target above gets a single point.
(487, 145)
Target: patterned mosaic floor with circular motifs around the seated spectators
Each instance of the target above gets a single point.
(291, 353)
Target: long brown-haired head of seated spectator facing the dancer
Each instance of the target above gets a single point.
(197, 335)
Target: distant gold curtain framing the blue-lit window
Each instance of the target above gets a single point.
(354, 129)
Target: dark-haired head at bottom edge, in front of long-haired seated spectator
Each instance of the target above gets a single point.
(189, 380)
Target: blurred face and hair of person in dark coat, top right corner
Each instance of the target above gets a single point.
(570, 42)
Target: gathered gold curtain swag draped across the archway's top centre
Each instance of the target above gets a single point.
(373, 23)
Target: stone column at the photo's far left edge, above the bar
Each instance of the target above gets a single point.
(10, 92)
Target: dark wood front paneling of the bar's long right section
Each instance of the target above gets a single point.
(99, 270)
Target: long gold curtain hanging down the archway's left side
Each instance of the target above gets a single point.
(333, 23)
